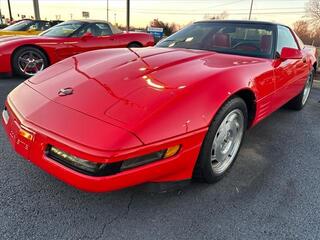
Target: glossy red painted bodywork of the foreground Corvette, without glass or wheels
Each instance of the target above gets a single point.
(129, 103)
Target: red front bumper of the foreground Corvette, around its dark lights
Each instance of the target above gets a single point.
(177, 168)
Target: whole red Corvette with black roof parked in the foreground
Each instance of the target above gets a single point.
(110, 119)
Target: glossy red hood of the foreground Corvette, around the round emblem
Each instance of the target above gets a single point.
(125, 86)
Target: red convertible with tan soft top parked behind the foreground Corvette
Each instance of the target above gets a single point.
(25, 56)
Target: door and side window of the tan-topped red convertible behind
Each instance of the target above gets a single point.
(96, 36)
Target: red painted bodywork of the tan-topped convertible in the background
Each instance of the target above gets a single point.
(57, 48)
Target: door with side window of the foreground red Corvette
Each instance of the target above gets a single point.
(290, 74)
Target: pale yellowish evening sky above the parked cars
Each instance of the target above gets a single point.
(181, 12)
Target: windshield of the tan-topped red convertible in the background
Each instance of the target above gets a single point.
(63, 29)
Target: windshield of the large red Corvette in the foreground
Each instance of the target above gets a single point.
(247, 39)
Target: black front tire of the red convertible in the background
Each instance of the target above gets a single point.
(22, 53)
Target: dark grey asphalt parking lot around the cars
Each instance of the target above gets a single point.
(272, 192)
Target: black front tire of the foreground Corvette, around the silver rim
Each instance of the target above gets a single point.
(204, 168)
